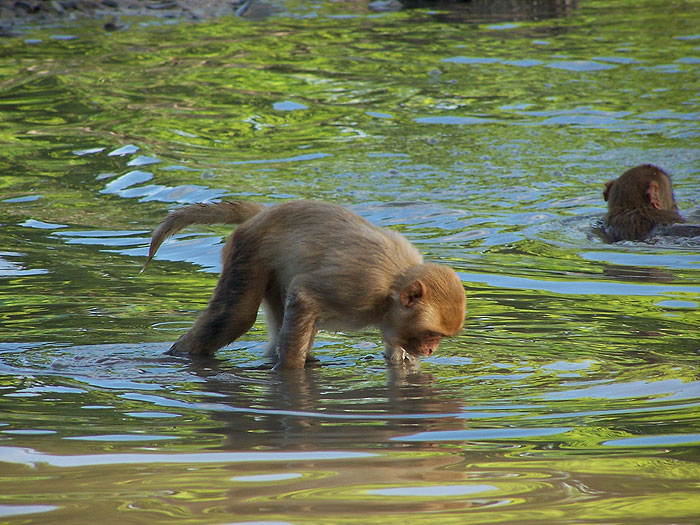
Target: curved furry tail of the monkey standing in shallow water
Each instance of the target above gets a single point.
(224, 212)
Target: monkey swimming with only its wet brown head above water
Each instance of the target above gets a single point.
(640, 204)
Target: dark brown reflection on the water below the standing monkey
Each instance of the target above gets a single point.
(310, 408)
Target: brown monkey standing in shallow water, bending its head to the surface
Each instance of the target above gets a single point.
(317, 265)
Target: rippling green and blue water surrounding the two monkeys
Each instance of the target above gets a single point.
(573, 393)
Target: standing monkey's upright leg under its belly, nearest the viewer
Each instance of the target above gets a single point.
(298, 331)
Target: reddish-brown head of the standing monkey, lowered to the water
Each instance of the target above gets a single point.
(427, 305)
